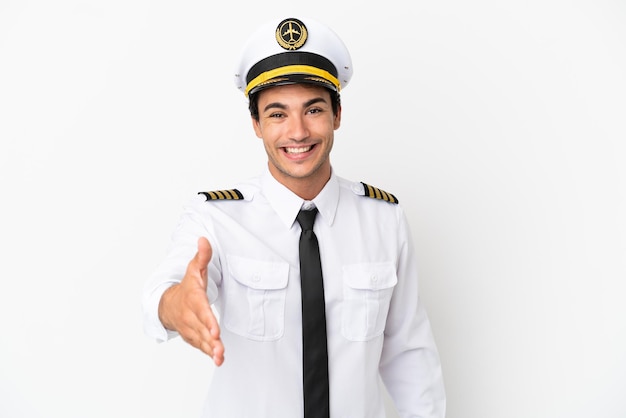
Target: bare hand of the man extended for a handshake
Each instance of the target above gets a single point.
(185, 307)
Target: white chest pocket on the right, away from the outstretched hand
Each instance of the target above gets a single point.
(367, 290)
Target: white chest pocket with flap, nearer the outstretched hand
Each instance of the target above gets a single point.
(254, 298)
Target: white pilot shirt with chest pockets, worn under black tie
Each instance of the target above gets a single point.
(376, 325)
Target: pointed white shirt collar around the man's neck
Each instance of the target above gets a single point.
(287, 204)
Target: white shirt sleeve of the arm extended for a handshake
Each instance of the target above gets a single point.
(182, 248)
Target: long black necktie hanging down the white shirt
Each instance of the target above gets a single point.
(315, 351)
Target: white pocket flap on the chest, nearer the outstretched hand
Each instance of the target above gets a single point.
(258, 274)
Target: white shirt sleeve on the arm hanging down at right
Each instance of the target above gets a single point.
(410, 366)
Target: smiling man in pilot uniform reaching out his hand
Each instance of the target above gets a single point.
(244, 253)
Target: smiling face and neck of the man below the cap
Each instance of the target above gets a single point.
(297, 125)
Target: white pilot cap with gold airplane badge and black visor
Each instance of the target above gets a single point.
(293, 51)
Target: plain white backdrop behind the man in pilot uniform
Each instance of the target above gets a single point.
(499, 125)
